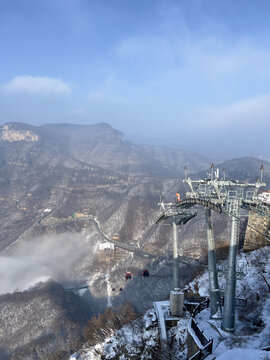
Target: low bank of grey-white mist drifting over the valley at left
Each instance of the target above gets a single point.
(54, 257)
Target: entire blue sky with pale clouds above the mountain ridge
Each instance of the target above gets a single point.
(192, 74)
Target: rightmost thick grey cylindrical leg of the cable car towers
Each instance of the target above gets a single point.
(228, 323)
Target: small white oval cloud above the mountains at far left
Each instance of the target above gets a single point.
(37, 85)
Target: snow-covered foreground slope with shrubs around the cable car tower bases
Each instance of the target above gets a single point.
(141, 337)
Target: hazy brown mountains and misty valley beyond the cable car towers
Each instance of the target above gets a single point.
(67, 191)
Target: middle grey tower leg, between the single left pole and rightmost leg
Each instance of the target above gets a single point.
(215, 308)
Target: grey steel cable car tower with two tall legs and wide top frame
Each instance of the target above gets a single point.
(230, 197)
